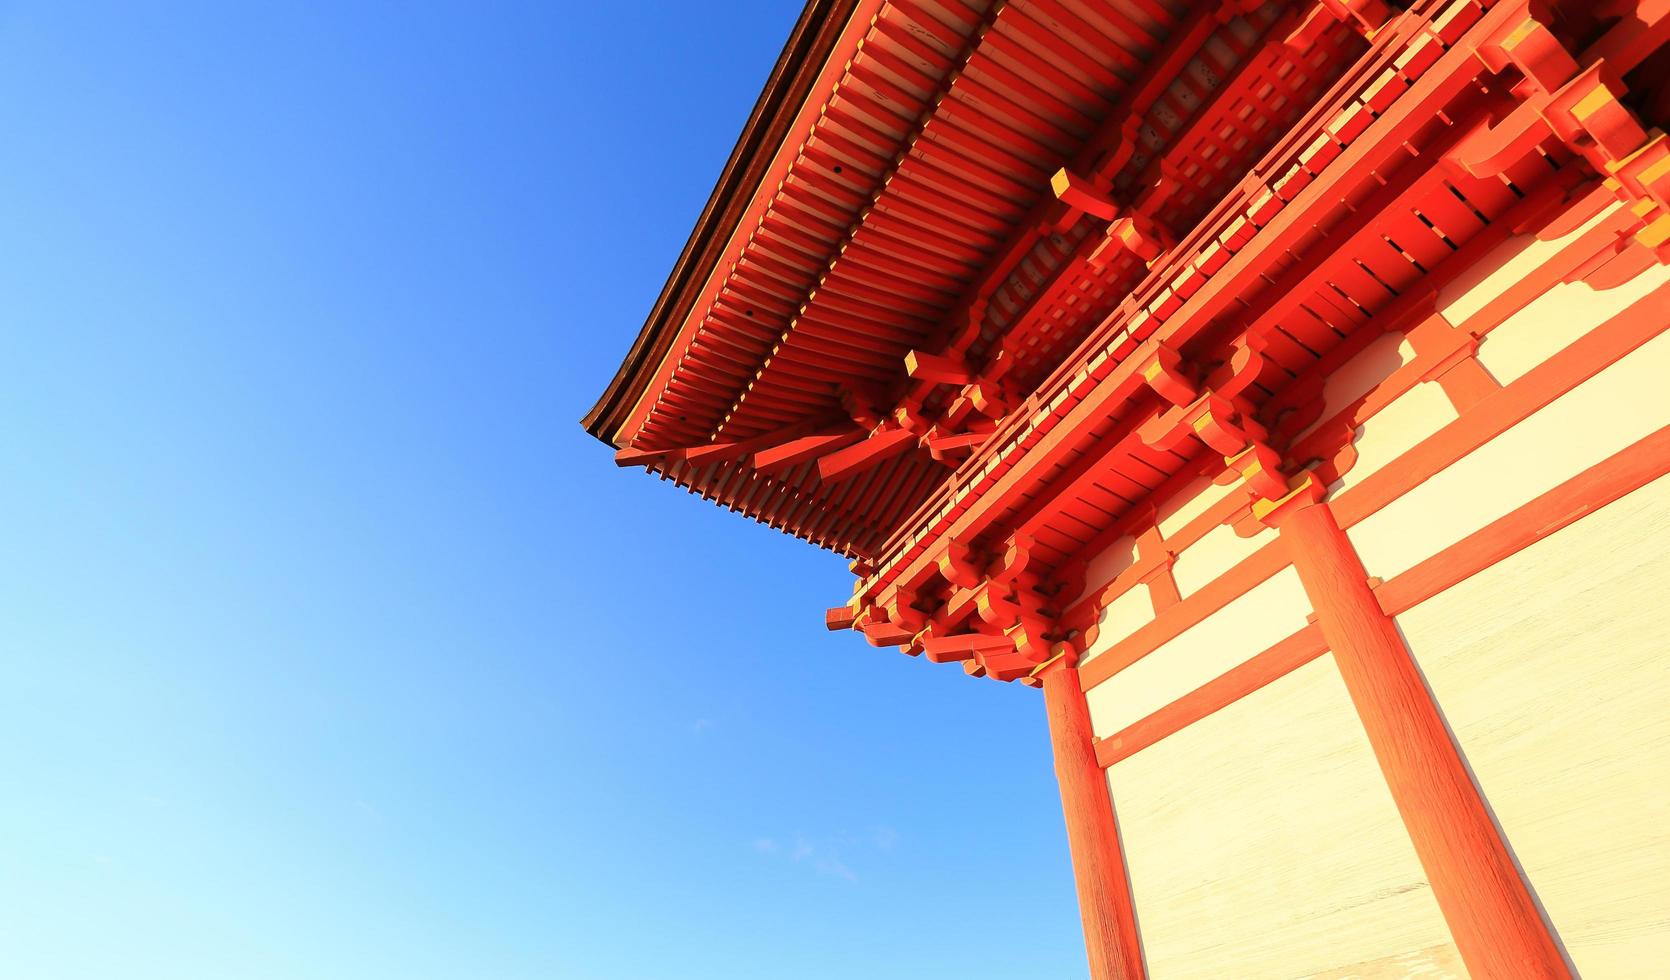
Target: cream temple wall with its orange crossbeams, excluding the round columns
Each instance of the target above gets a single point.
(1522, 543)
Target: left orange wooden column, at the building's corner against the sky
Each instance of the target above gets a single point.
(1098, 864)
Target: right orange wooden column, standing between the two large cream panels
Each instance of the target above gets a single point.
(1490, 912)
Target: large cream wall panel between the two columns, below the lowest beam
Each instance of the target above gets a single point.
(1263, 842)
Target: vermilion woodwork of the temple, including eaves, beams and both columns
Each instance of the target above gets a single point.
(998, 285)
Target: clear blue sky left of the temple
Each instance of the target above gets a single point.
(333, 647)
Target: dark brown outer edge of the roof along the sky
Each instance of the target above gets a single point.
(809, 48)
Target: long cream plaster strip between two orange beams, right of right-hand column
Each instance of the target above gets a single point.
(1596, 420)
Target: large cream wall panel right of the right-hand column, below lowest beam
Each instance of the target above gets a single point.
(1554, 672)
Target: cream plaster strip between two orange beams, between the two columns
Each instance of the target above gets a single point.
(1242, 630)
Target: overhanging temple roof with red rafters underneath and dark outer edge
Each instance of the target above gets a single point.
(913, 235)
